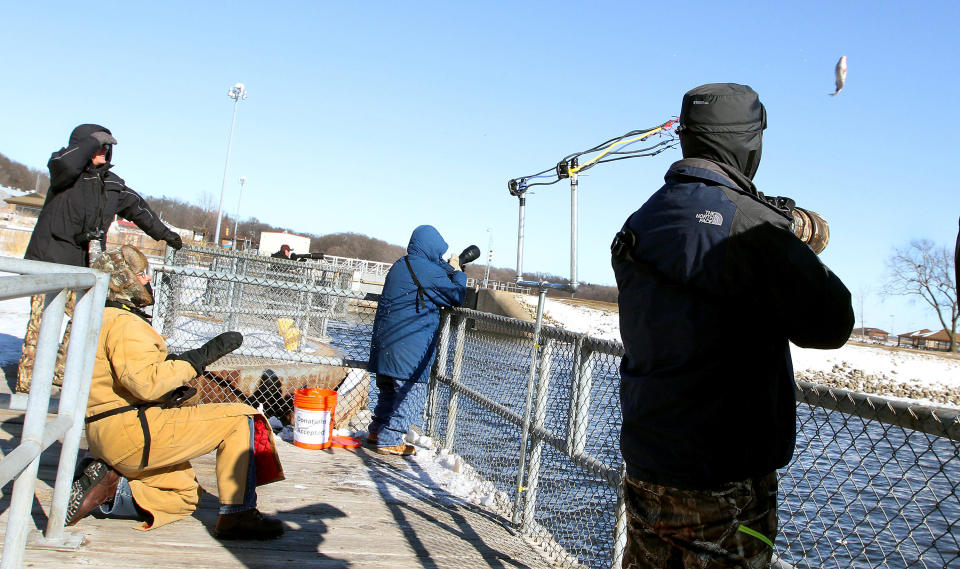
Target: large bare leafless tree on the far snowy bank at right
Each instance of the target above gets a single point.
(923, 269)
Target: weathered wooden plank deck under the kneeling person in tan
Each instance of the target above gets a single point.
(342, 508)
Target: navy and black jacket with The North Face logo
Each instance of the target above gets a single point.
(713, 284)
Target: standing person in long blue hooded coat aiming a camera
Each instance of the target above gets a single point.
(405, 333)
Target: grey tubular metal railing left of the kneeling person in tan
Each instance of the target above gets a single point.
(22, 463)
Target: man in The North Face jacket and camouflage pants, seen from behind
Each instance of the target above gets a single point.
(713, 285)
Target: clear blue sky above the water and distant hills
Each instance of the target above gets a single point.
(375, 118)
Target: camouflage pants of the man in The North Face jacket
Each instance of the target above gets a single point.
(669, 528)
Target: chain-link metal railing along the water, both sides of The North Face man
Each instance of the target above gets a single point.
(536, 413)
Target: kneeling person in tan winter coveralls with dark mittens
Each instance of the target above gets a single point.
(142, 442)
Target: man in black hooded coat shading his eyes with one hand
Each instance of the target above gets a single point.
(83, 198)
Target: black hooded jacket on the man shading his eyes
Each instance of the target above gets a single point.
(82, 200)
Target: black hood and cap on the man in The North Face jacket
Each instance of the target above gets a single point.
(723, 122)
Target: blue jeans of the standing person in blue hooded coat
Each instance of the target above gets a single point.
(399, 405)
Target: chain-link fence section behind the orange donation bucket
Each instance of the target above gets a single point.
(305, 324)
